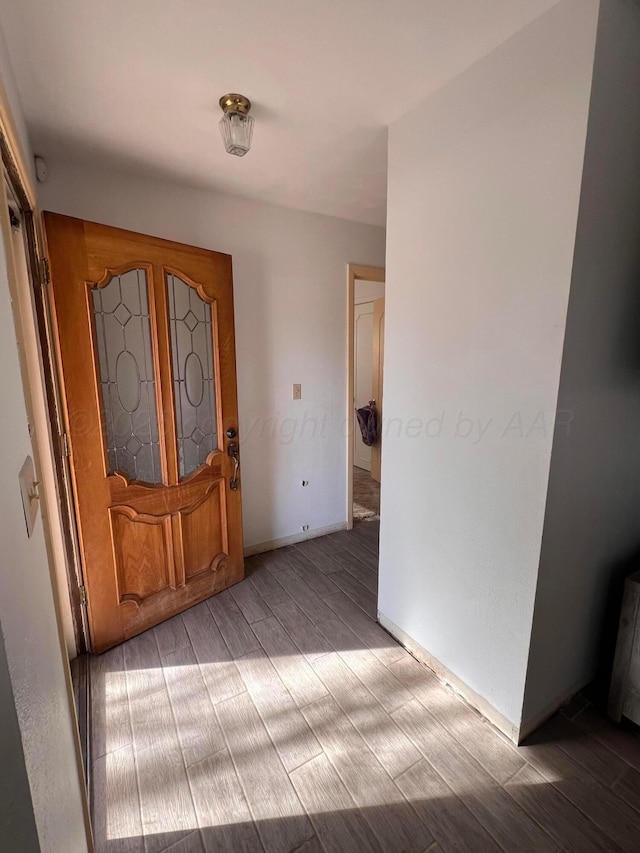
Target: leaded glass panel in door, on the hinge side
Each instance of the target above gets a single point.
(127, 381)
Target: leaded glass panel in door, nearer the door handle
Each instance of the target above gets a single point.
(190, 317)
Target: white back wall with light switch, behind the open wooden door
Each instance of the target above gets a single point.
(290, 291)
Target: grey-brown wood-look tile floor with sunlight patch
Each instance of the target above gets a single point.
(278, 716)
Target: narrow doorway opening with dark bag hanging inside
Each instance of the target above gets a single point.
(365, 322)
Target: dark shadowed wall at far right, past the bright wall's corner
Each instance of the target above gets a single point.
(592, 530)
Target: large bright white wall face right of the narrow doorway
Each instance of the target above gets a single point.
(484, 183)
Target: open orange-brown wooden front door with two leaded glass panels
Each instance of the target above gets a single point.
(147, 354)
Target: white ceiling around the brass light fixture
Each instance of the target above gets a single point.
(134, 85)
